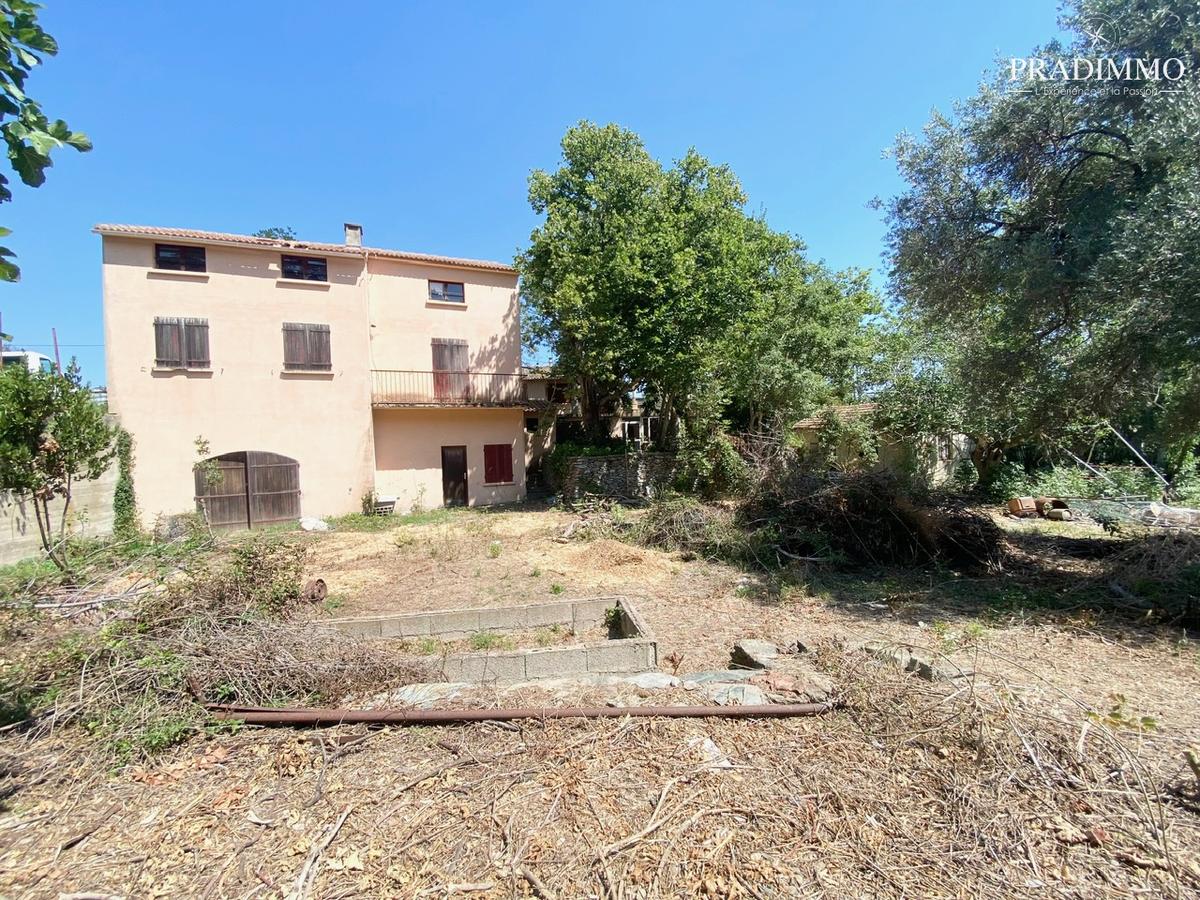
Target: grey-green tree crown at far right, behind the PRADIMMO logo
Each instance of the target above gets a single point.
(1049, 238)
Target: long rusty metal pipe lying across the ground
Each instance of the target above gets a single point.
(260, 716)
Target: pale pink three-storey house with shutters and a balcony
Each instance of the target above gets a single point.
(263, 380)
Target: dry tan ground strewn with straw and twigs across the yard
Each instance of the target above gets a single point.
(1057, 770)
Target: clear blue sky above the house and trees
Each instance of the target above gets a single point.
(423, 121)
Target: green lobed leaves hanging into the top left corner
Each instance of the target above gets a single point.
(29, 136)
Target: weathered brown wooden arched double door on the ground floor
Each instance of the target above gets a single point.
(248, 489)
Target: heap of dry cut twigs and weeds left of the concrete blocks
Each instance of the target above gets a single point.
(136, 676)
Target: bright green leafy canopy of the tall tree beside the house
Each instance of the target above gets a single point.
(658, 279)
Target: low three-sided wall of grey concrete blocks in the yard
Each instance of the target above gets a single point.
(634, 650)
